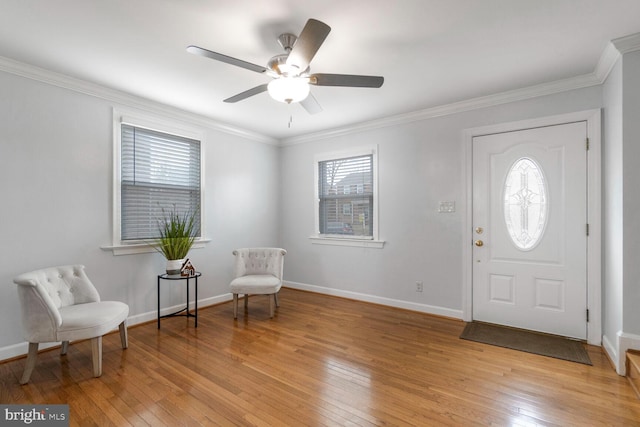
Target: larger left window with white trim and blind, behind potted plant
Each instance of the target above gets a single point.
(158, 168)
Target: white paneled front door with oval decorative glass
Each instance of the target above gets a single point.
(530, 229)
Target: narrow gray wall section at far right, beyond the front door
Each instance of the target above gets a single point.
(621, 203)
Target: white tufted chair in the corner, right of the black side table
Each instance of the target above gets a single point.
(257, 271)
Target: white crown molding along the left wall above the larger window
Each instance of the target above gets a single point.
(115, 96)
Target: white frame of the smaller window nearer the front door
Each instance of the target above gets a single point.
(372, 241)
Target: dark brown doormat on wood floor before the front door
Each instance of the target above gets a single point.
(531, 342)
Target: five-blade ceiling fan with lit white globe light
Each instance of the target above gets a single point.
(290, 71)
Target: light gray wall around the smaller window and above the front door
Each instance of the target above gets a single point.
(420, 164)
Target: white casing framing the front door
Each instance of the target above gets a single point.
(593, 119)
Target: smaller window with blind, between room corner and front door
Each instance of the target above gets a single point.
(346, 198)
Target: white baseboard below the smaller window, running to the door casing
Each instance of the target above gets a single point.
(423, 308)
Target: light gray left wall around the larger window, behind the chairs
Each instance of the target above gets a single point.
(56, 149)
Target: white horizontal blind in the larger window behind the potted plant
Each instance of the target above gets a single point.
(159, 172)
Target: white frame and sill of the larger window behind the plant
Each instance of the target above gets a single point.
(155, 123)
